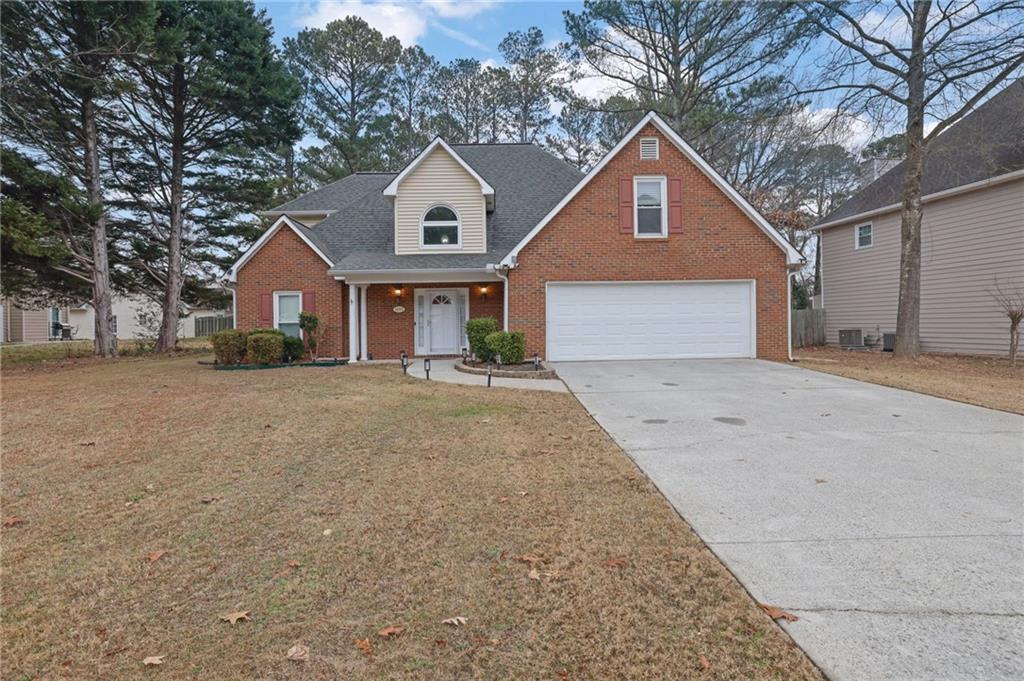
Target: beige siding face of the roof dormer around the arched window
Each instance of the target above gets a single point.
(440, 180)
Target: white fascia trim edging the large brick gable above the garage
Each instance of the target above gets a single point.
(792, 254)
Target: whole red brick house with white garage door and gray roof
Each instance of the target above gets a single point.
(650, 256)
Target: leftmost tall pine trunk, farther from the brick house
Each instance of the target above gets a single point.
(105, 343)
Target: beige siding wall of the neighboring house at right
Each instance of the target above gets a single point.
(968, 241)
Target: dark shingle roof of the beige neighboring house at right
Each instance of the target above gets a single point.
(988, 143)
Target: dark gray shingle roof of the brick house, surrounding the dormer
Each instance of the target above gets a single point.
(360, 234)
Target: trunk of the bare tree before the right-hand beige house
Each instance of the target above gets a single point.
(909, 312)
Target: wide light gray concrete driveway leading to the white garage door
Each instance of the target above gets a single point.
(890, 523)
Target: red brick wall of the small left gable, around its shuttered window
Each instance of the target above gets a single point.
(287, 264)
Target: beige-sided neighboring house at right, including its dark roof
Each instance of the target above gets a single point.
(972, 235)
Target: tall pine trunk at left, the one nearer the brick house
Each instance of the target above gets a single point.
(173, 287)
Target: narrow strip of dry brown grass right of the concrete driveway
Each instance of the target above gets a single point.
(985, 381)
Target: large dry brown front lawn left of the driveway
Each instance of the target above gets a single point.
(330, 504)
